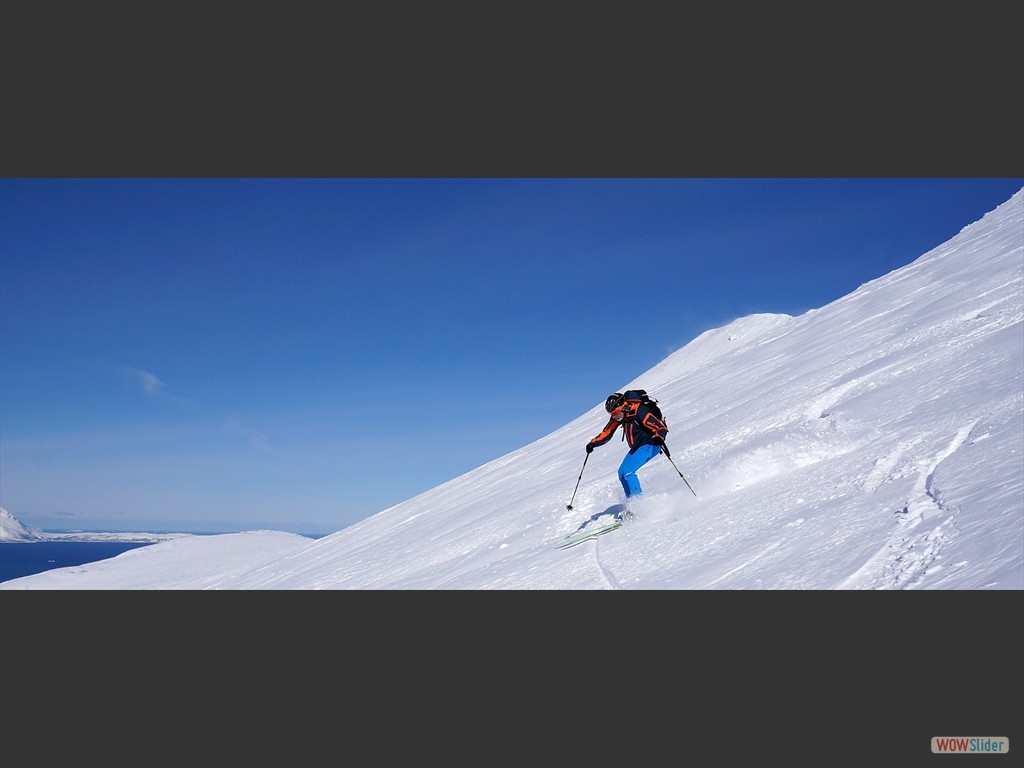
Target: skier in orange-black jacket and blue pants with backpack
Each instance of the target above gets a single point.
(645, 432)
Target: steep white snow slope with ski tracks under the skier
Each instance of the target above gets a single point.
(873, 444)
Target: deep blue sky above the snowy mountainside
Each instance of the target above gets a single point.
(297, 355)
